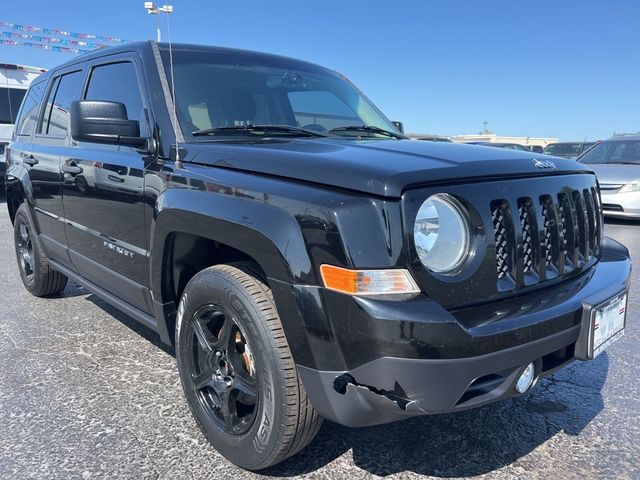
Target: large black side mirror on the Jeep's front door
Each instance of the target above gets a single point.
(104, 122)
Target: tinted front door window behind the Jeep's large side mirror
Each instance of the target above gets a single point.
(116, 82)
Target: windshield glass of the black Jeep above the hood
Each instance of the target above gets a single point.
(215, 89)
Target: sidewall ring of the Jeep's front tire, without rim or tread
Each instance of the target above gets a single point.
(255, 446)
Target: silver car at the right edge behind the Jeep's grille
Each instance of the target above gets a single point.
(617, 165)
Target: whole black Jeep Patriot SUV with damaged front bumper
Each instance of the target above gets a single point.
(305, 259)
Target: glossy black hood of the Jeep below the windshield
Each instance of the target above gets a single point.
(379, 167)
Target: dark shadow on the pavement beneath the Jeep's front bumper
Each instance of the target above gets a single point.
(468, 443)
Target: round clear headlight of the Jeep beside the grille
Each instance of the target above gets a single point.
(441, 234)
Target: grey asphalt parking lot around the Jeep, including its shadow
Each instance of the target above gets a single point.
(85, 392)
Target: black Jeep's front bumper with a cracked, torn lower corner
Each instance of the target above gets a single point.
(417, 359)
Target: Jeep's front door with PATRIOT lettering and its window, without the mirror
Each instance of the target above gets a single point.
(103, 191)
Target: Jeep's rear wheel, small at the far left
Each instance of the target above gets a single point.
(33, 264)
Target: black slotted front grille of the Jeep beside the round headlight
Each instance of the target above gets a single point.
(552, 235)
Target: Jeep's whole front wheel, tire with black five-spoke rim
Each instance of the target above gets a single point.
(253, 407)
